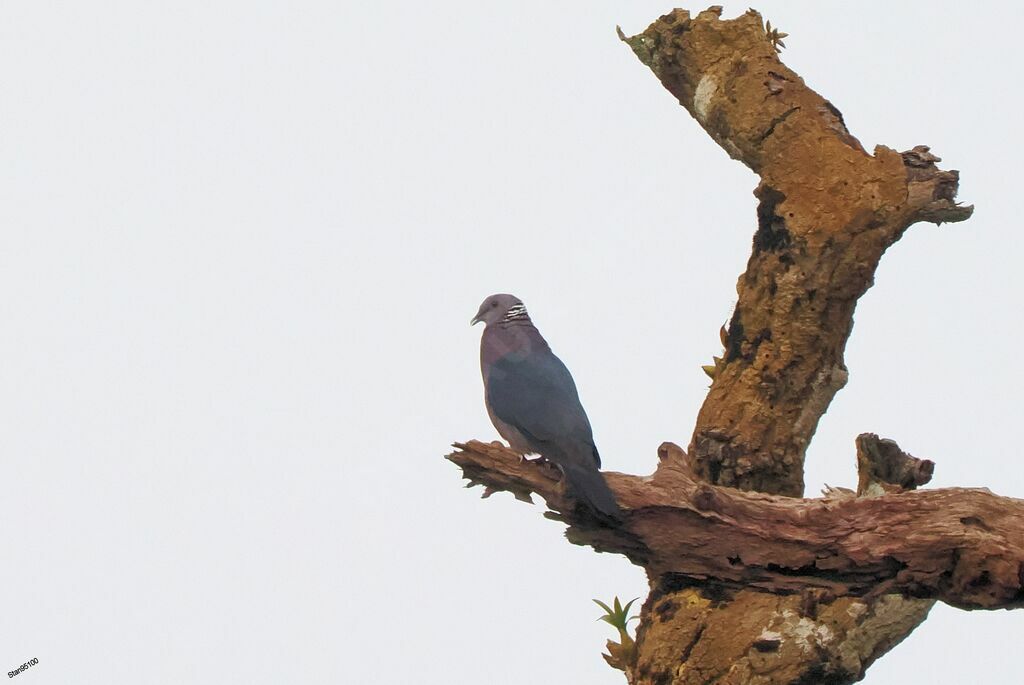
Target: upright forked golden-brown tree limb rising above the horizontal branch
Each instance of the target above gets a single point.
(828, 212)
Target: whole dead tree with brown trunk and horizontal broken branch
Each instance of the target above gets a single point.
(750, 583)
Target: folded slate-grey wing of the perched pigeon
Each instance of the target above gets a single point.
(536, 395)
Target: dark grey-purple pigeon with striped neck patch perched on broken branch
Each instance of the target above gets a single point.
(534, 404)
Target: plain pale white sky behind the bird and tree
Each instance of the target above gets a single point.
(241, 247)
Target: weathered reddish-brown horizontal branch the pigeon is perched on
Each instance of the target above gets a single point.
(961, 546)
